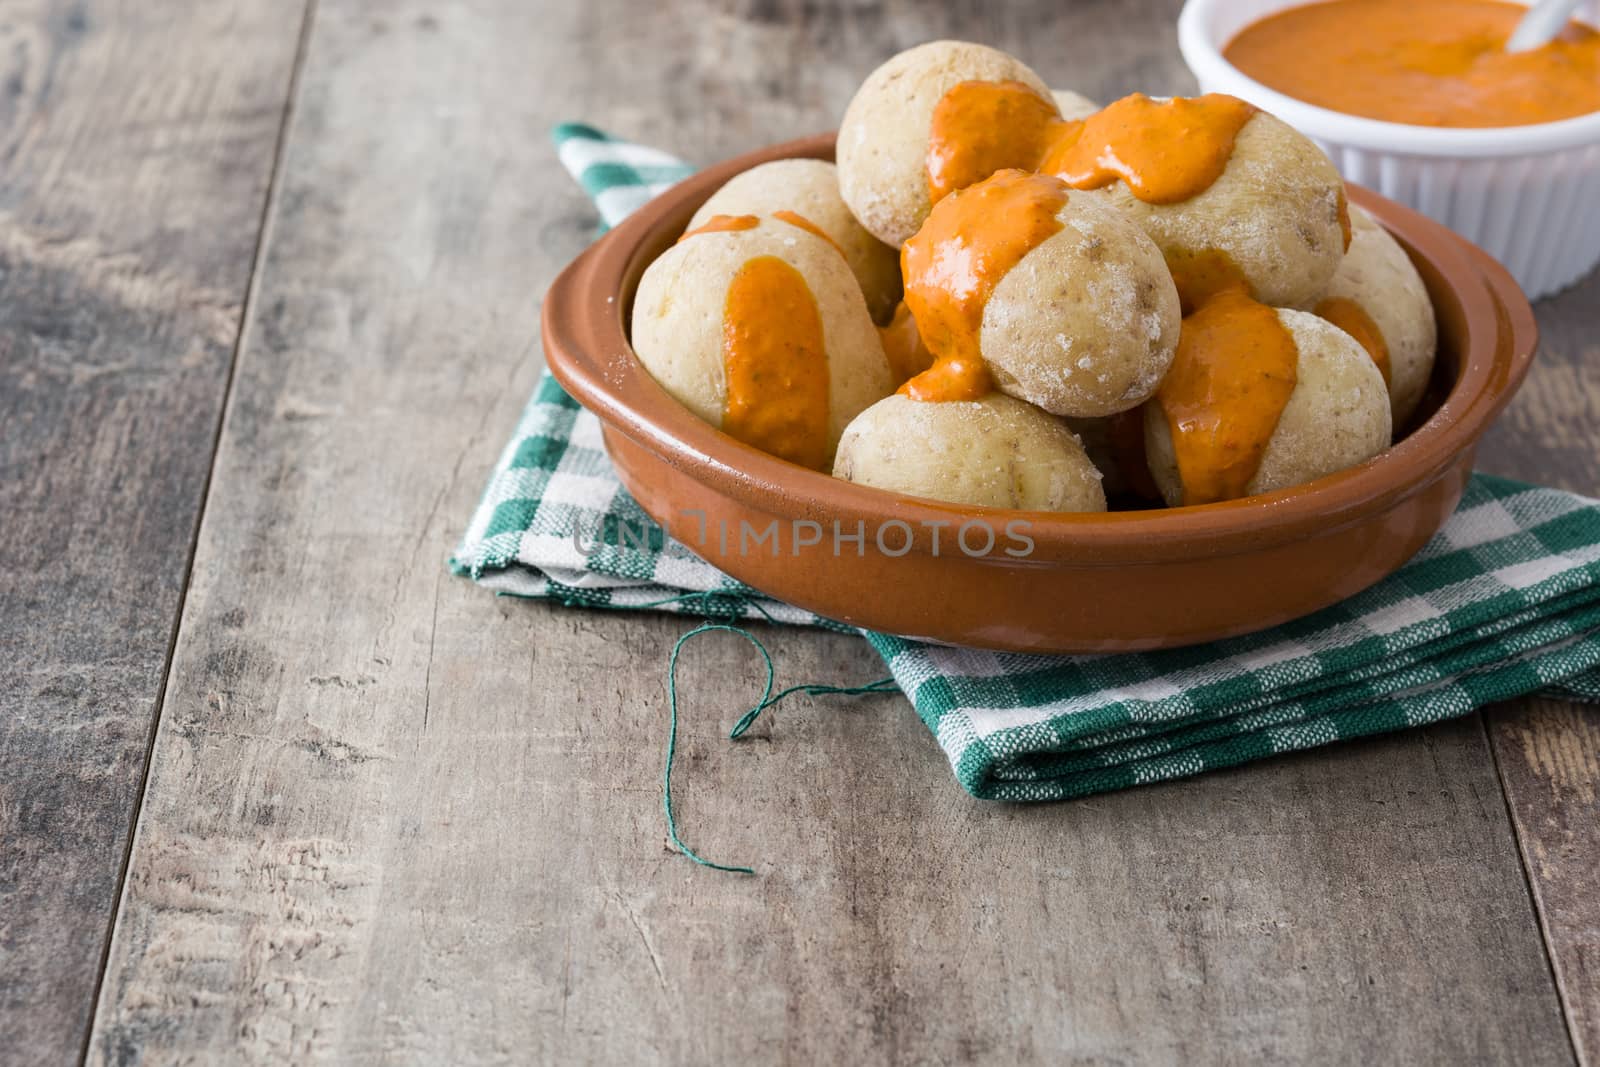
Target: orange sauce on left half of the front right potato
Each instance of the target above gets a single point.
(1225, 394)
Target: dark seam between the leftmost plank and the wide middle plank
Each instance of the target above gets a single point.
(252, 290)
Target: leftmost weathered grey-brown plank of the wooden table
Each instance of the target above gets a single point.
(137, 145)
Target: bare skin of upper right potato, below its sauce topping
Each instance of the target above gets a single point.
(1274, 212)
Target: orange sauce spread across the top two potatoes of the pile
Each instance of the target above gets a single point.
(1164, 151)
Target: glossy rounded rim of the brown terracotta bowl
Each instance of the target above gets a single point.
(586, 345)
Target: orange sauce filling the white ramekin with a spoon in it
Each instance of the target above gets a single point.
(1425, 63)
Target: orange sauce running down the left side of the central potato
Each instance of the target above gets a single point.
(954, 263)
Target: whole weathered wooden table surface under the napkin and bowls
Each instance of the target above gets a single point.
(276, 788)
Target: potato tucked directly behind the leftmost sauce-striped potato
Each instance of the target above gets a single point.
(810, 190)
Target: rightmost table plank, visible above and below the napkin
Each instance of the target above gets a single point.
(1546, 749)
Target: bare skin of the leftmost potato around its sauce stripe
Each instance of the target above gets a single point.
(679, 321)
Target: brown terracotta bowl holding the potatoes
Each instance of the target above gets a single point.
(1034, 581)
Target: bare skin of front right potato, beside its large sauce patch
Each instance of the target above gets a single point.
(1335, 418)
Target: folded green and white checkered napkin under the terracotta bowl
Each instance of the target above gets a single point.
(1502, 604)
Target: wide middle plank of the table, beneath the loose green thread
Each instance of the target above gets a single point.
(394, 820)
